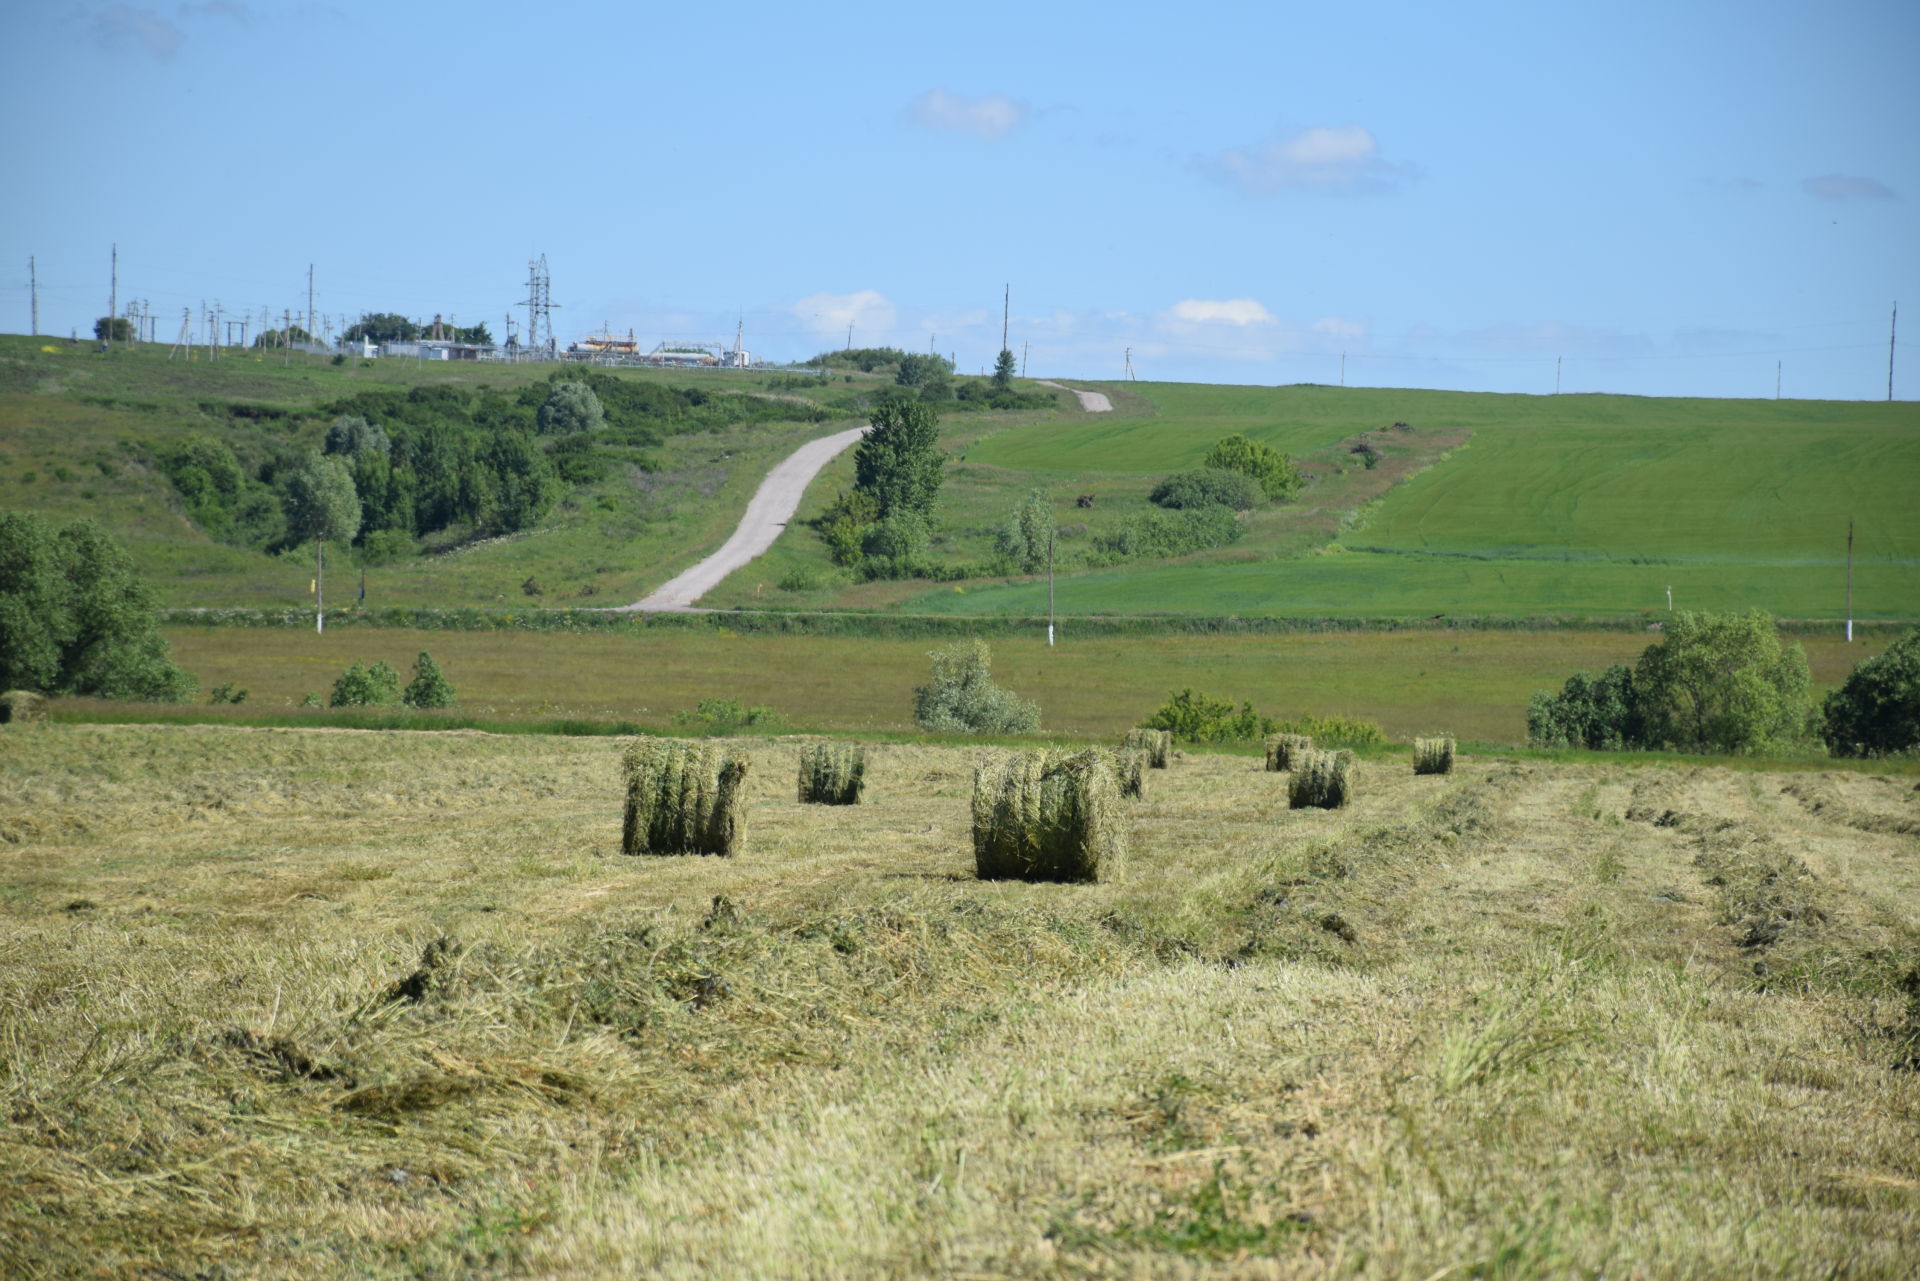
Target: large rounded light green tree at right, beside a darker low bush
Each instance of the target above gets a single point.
(1721, 683)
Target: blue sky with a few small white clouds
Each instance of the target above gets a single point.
(1668, 199)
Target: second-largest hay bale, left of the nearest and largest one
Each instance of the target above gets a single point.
(683, 798)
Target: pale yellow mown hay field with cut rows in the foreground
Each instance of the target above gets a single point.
(372, 1005)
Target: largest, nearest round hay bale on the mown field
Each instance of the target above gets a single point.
(1047, 817)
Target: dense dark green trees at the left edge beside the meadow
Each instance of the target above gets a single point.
(78, 619)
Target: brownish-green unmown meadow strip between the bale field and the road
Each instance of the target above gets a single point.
(1476, 683)
